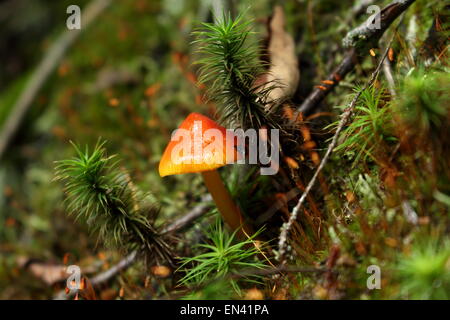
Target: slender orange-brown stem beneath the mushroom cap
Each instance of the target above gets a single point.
(229, 210)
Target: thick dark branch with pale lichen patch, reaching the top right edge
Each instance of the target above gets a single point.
(359, 40)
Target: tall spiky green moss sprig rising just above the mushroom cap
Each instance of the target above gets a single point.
(229, 66)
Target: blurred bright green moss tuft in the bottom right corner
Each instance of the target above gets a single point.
(425, 272)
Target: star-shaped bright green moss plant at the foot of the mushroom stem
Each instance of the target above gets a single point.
(224, 256)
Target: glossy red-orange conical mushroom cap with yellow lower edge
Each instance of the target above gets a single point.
(199, 144)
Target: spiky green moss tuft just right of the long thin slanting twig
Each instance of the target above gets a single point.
(370, 128)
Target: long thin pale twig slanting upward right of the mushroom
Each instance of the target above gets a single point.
(345, 117)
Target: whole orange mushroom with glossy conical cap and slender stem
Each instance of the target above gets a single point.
(201, 145)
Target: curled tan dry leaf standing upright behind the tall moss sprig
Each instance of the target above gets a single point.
(284, 72)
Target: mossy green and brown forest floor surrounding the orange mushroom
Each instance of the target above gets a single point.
(374, 225)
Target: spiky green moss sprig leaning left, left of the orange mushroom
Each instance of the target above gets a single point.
(102, 195)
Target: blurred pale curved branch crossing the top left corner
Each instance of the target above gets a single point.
(44, 70)
